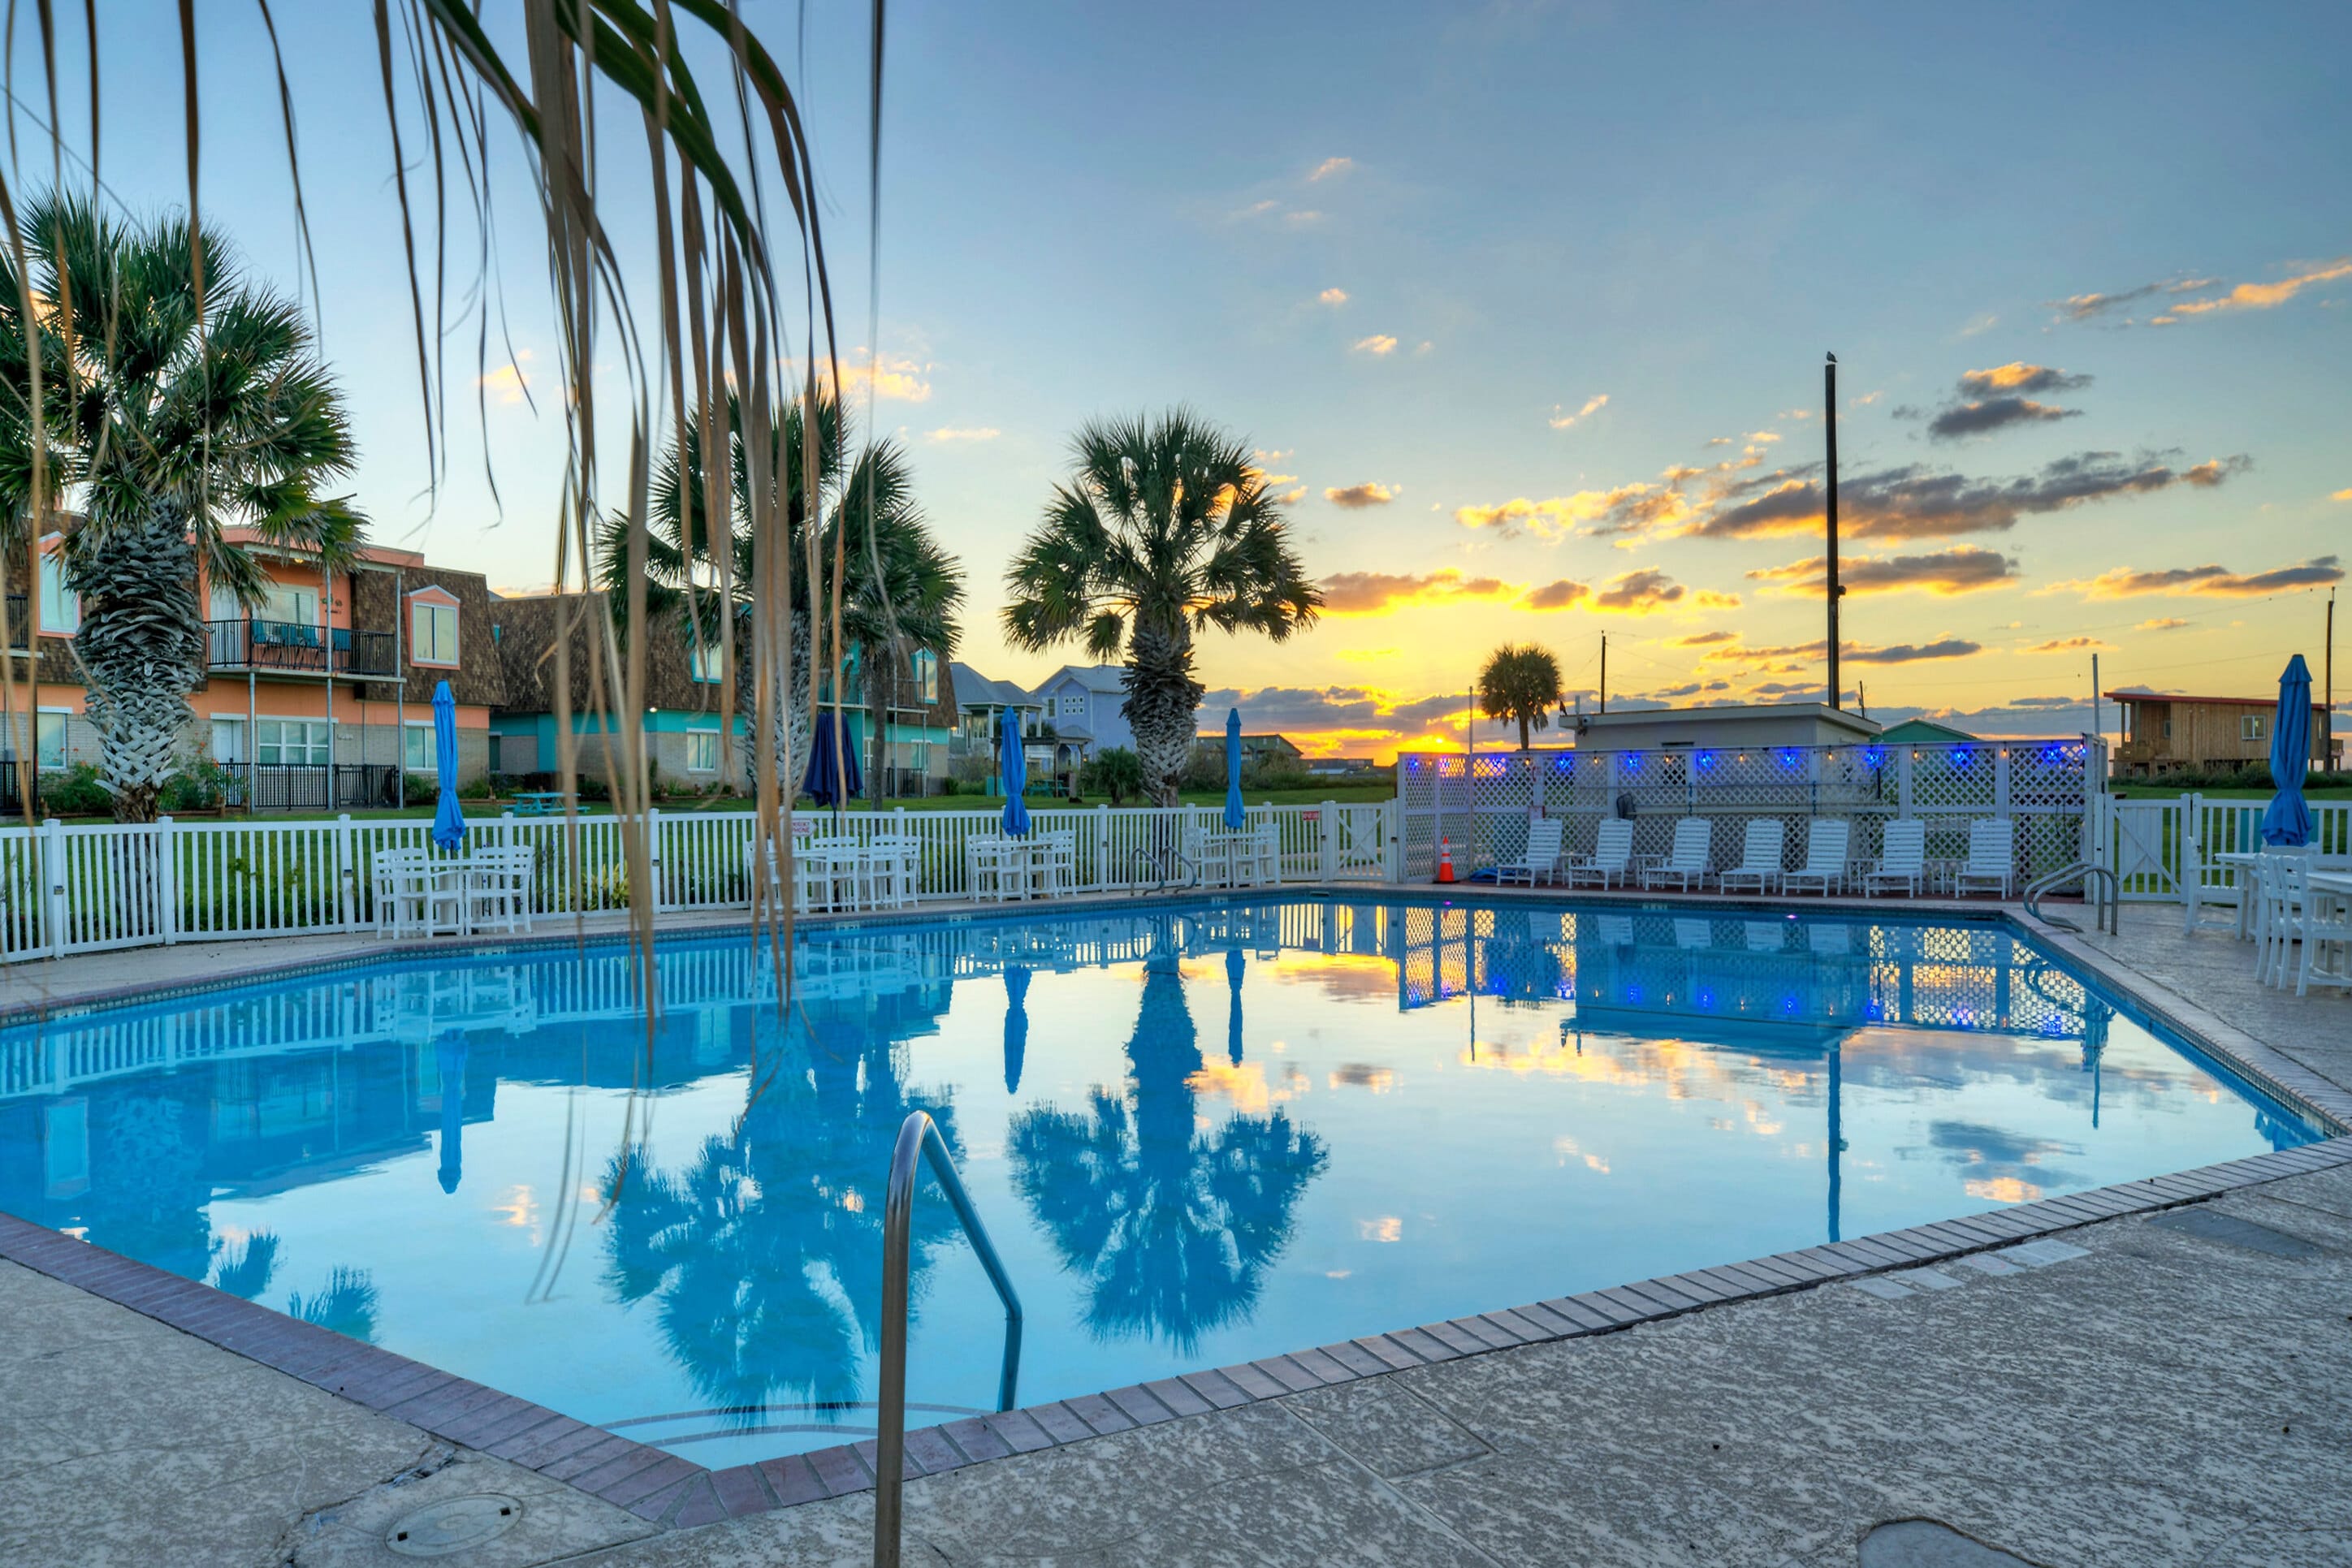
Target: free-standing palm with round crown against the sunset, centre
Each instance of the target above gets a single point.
(1165, 530)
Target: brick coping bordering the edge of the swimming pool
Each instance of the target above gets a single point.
(681, 1494)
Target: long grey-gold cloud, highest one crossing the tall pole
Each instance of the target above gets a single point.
(1916, 502)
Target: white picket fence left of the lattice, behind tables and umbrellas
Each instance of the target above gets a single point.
(95, 887)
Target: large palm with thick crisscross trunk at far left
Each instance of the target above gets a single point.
(178, 406)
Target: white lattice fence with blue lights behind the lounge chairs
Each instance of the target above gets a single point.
(1481, 803)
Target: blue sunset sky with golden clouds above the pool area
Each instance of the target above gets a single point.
(1523, 304)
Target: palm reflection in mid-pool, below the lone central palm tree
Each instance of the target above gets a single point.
(1172, 1228)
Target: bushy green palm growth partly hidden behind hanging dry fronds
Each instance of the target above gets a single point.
(900, 589)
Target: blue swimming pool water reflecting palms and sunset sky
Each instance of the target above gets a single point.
(1196, 1134)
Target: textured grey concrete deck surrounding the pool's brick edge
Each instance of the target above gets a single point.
(2170, 1393)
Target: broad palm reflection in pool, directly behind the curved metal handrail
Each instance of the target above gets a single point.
(766, 1254)
